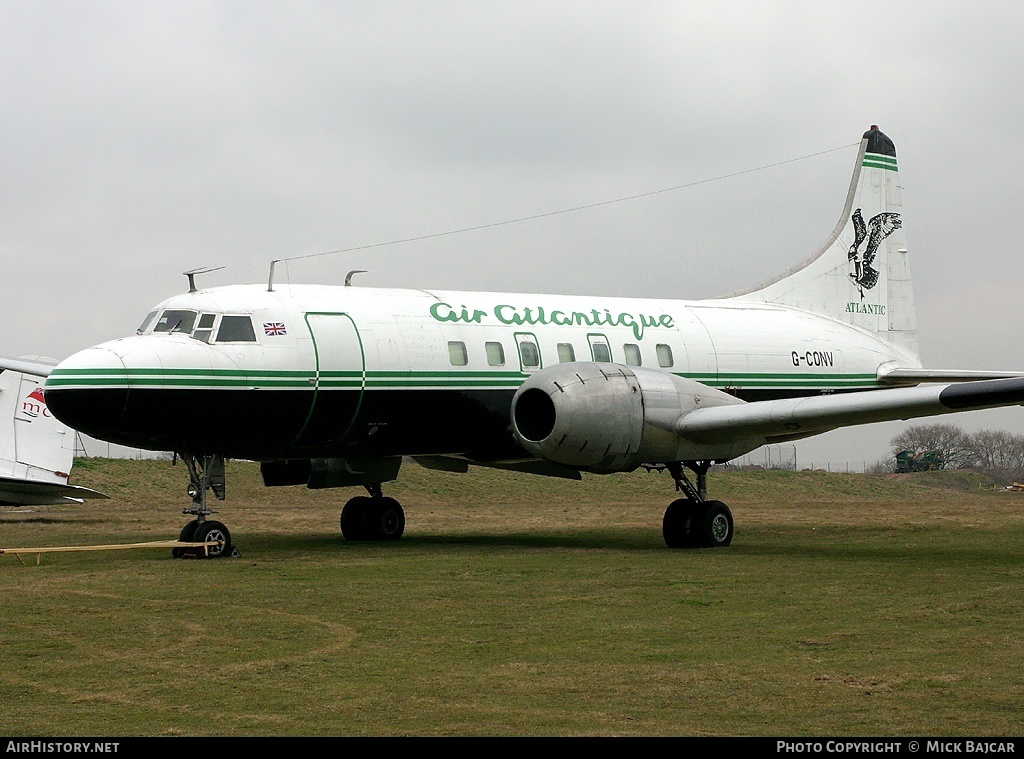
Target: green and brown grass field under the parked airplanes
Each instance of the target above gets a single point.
(849, 605)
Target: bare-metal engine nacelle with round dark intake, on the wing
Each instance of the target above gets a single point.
(610, 417)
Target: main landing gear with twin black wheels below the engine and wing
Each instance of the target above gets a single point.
(695, 522)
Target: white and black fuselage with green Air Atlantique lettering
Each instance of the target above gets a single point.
(319, 371)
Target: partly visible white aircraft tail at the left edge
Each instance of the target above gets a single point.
(36, 450)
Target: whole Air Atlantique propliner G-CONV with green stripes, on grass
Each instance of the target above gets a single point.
(334, 387)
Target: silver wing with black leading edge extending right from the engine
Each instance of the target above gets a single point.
(792, 418)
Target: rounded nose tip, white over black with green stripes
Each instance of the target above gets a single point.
(89, 392)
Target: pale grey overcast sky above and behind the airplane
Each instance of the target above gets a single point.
(140, 140)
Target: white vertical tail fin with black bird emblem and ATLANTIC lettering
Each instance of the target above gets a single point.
(862, 275)
